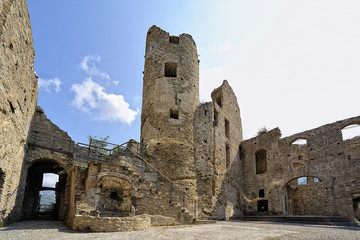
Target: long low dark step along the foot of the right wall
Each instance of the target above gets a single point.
(312, 220)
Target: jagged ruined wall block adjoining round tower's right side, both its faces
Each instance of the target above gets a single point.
(223, 177)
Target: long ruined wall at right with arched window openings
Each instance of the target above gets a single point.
(325, 157)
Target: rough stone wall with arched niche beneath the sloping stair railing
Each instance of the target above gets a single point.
(126, 187)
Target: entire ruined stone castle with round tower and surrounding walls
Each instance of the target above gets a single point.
(191, 162)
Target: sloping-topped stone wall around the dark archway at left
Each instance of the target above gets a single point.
(49, 150)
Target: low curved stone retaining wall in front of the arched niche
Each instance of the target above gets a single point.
(110, 224)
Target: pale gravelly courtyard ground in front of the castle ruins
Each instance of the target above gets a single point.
(40, 229)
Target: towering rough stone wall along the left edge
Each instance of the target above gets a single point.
(18, 96)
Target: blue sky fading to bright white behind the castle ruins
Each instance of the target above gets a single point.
(292, 64)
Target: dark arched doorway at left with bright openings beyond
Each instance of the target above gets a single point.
(45, 191)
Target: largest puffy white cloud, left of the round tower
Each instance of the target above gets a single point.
(92, 98)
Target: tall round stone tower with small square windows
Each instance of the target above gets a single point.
(170, 99)
